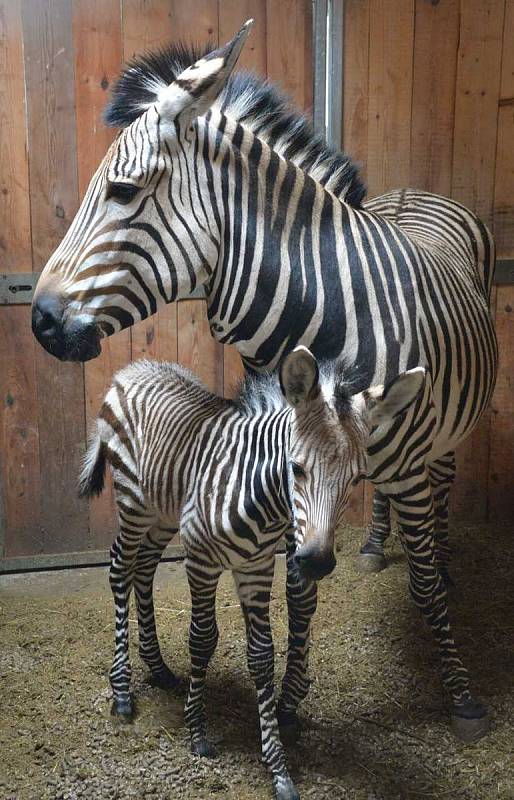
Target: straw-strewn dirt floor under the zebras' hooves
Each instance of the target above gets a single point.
(374, 727)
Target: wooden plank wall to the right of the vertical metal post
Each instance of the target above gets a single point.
(429, 103)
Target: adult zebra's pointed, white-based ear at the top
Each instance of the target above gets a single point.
(194, 91)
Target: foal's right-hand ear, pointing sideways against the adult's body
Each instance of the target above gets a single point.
(383, 404)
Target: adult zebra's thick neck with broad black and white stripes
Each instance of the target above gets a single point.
(280, 256)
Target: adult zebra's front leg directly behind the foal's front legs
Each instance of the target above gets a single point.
(302, 597)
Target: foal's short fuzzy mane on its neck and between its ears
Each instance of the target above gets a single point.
(262, 394)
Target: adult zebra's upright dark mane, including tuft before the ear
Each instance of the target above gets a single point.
(250, 100)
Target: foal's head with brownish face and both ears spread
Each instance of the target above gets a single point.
(329, 436)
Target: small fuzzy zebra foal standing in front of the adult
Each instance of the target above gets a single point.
(233, 476)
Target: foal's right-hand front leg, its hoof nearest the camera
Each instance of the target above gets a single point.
(254, 590)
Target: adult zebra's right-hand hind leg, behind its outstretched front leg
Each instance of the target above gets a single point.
(442, 475)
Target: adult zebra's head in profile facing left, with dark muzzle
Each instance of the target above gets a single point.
(141, 237)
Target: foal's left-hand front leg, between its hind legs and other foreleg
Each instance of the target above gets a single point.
(203, 638)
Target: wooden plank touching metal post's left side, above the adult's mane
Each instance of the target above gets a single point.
(289, 48)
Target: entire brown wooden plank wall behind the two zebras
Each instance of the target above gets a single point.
(428, 101)
